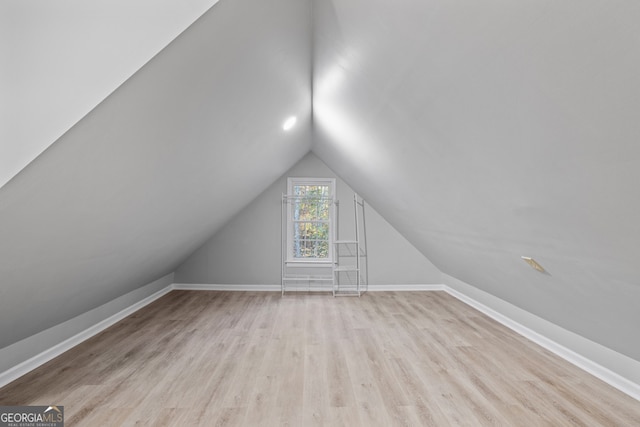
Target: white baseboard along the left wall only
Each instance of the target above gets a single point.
(29, 365)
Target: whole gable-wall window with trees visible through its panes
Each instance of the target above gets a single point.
(309, 219)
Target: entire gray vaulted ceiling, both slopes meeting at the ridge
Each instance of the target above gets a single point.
(481, 131)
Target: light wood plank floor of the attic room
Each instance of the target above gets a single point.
(252, 359)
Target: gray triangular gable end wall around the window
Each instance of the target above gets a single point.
(247, 249)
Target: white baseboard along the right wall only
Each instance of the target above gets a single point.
(612, 378)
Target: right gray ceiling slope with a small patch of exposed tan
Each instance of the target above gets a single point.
(484, 131)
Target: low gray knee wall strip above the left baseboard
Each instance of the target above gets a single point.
(34, 345)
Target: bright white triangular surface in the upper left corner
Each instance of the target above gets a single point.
(59, 59)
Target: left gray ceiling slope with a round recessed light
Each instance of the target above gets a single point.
(152, 172)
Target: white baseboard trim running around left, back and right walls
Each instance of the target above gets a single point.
(621, 383)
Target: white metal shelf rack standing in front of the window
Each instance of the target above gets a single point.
(345, 271)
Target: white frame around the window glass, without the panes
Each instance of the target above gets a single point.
(291, 182)
